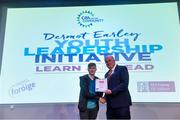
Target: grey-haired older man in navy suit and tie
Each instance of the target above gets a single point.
(117, 96)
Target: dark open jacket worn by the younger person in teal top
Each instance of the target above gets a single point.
(85, 94)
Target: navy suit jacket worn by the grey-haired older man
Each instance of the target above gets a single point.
(118, 84)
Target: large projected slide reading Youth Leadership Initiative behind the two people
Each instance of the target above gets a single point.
(47, 49)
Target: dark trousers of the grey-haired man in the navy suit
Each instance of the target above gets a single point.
(118, 113)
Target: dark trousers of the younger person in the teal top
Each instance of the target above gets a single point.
(89, 114)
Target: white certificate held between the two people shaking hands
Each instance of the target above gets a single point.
(101, 85)
